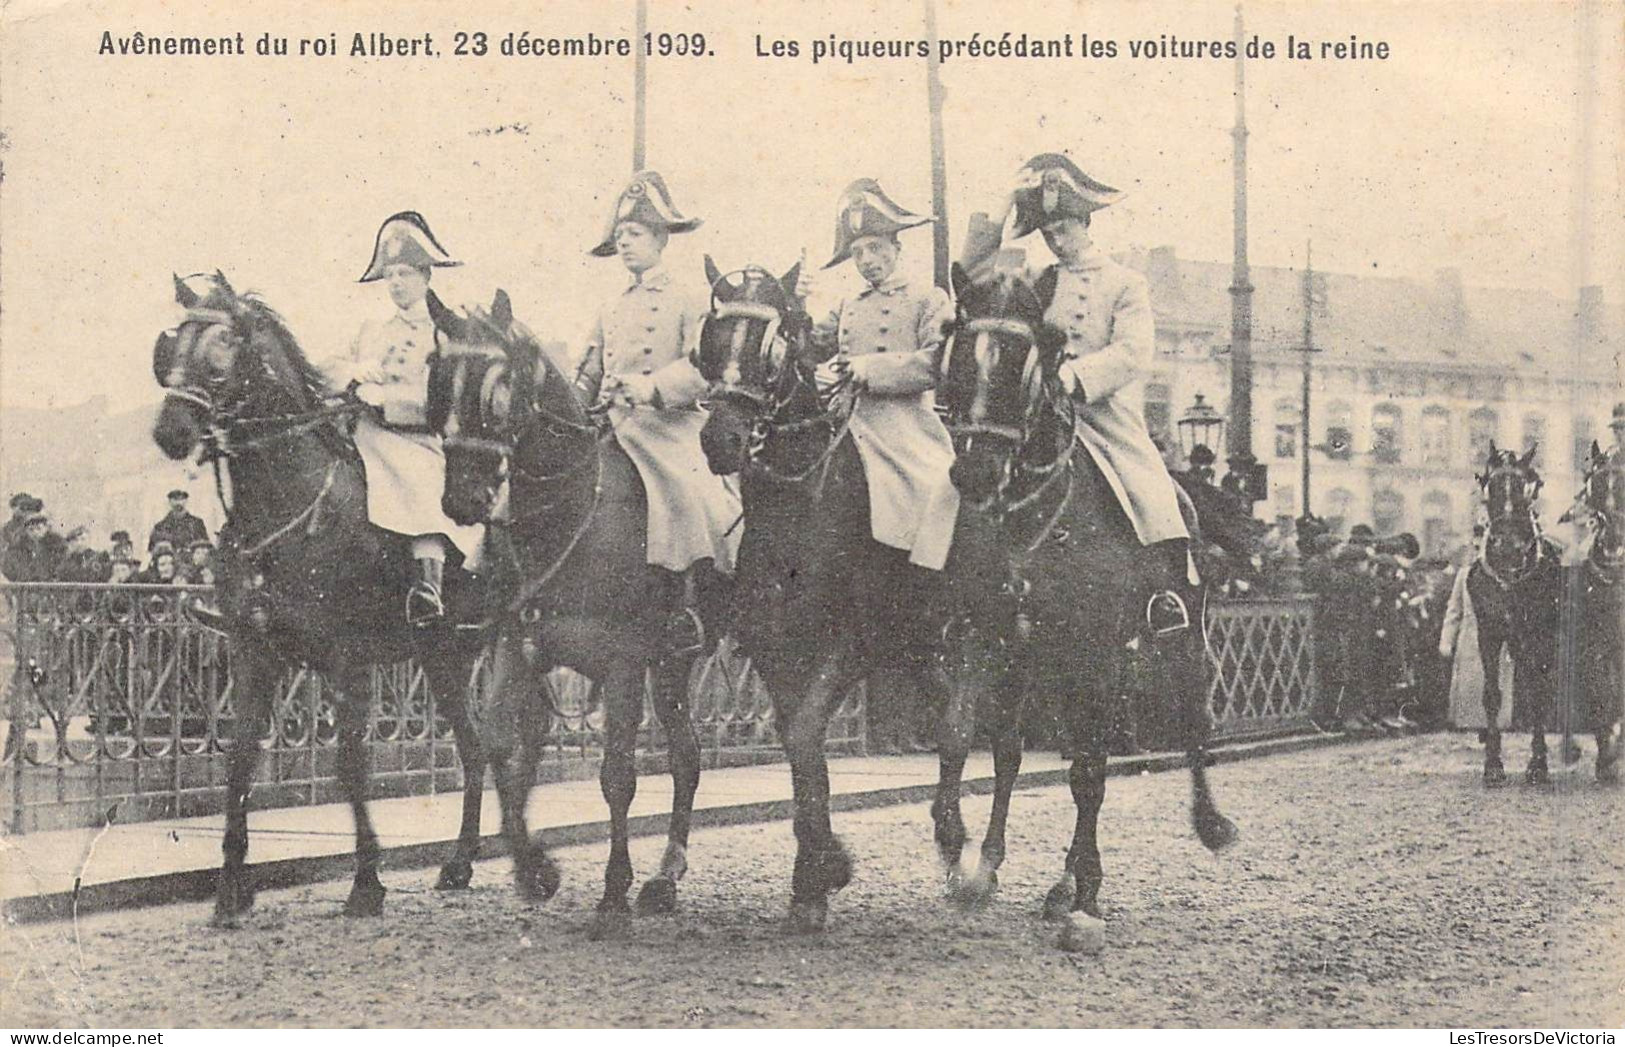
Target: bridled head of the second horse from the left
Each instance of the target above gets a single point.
(492, 391)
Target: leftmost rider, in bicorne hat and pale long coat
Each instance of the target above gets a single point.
(389, 370)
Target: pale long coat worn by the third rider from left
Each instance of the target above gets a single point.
(893, 339)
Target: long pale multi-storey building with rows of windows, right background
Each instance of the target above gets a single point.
(1410, 384)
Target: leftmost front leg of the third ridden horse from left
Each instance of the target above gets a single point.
(823, 864)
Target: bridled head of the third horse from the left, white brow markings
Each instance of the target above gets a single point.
(753, 352)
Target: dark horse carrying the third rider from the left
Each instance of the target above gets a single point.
(820, 604)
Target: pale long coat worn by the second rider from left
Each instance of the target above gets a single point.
(649, 331)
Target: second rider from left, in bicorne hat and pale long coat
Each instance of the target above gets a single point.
(638, 360)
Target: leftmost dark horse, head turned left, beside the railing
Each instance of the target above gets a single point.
(303, 578)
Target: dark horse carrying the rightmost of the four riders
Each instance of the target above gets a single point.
(1081, 588)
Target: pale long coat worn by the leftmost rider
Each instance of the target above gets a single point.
(405, 467)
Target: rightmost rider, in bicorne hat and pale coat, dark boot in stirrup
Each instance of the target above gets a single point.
(1104, 310)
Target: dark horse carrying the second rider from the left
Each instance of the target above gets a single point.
(578, 516)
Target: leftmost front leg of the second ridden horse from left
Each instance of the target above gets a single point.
(511, 742)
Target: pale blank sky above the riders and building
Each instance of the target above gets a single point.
(1465, 149)
